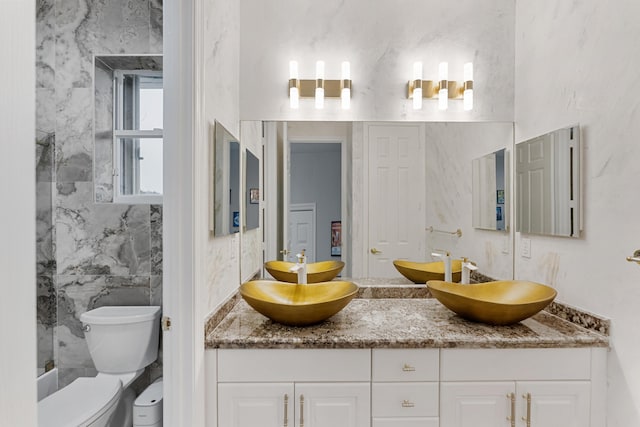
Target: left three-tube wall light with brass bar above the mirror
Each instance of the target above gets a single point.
(319, 88)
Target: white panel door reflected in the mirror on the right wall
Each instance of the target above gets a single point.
(534, 168)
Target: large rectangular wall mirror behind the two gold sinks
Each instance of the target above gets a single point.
(397, 181)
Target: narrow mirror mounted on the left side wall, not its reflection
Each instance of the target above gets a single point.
(225, 205)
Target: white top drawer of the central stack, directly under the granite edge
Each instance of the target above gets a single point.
(405, 365)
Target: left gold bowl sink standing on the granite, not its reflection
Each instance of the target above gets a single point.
(298, 305)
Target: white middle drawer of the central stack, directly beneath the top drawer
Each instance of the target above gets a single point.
(404, 399)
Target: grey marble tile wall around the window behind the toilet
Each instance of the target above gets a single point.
(89, 254)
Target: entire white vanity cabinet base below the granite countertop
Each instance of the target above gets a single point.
(547, 387)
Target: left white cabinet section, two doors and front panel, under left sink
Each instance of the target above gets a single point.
(296, 388)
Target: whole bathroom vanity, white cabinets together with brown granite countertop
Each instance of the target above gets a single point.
(406, 362)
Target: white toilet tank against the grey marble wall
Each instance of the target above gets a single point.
(122, 339)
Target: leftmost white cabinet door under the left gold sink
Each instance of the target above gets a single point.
(250, 405)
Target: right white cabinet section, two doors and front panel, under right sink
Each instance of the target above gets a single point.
(515, 387)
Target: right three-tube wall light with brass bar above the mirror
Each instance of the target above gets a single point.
(443, 90)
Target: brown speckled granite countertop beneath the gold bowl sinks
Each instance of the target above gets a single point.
(414, 322)
